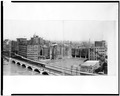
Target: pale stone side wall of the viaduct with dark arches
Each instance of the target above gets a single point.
(41, 70)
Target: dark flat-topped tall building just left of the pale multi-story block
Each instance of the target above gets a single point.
(22, 46)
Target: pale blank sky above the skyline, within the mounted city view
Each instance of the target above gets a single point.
(59, 30)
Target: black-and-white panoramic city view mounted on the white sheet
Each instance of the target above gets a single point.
(67, 48)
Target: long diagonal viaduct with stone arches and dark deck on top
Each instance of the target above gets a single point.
(42, 68)
